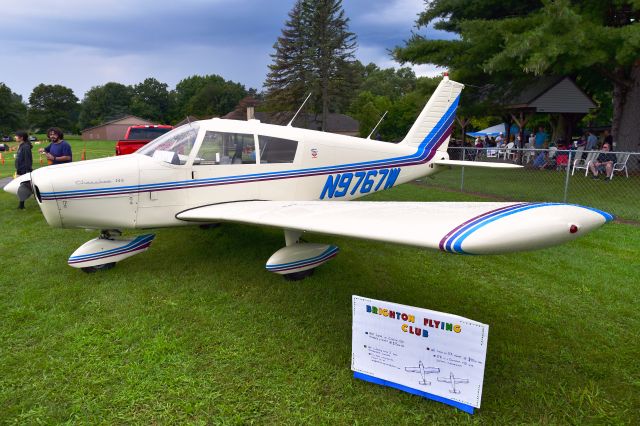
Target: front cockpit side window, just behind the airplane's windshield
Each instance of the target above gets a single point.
(223, 148)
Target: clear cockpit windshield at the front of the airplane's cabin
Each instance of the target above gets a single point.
(173, 147)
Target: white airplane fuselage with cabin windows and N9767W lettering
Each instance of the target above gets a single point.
(147, 190)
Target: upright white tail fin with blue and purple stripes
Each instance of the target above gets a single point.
(433, 127)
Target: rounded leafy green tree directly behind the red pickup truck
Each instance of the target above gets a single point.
(151, 100)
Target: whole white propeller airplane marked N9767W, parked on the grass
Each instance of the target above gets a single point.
(295, 179)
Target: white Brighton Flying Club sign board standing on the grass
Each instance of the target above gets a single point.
(428, 353)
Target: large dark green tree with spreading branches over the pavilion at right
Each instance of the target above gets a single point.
(593, 41)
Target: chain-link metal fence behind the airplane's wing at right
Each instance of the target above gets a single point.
(548, 175)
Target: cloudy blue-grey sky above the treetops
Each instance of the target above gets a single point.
(85, 43)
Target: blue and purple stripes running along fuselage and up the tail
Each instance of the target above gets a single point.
(425, 152)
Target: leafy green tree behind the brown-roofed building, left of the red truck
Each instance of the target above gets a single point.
(105, 103)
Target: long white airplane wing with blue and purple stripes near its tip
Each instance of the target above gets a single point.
(465, 228)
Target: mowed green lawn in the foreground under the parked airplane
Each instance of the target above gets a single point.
(195, 330)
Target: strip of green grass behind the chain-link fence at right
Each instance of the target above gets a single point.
(620, 196)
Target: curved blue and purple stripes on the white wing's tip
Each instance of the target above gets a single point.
(452, 241)
